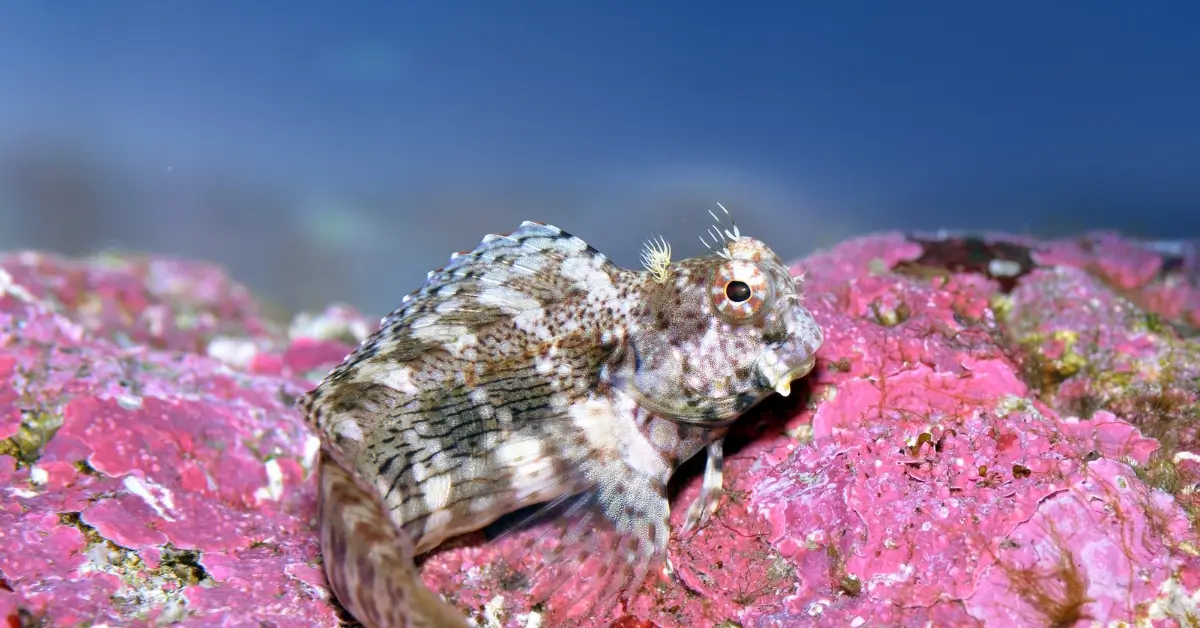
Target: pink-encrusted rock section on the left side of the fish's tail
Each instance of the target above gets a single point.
(145, 480)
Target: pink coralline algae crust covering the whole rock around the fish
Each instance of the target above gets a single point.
(1000, 432)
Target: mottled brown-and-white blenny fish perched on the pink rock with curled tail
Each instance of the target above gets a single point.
(532, 369)
